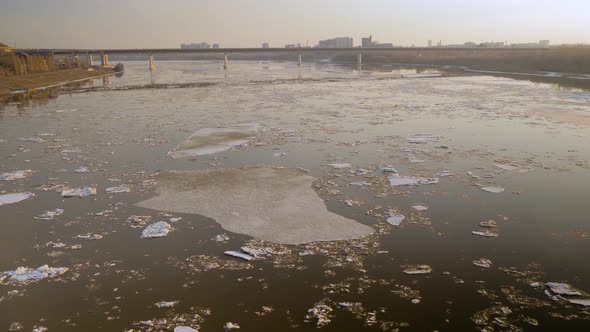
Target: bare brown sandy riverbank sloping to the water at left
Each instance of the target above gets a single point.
(10, 84)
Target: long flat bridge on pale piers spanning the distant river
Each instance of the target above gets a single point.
(104, 53)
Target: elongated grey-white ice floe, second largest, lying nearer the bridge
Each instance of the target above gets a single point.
(214, 140)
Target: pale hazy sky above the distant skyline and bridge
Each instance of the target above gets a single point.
(248, 23)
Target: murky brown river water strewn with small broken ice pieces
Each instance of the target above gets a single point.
(529, 138)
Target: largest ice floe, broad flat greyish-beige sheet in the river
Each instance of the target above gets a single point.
(272, 204)
